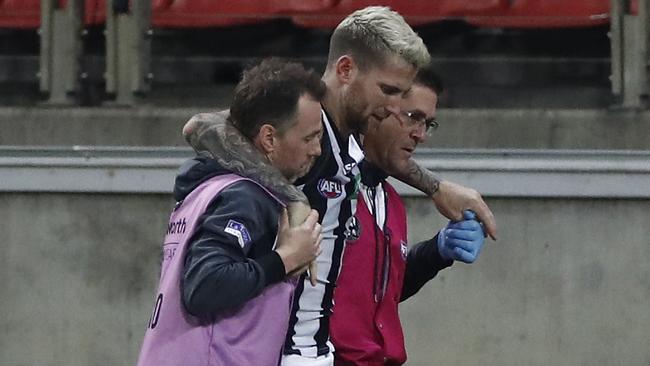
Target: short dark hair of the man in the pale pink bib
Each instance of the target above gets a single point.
(269, 93)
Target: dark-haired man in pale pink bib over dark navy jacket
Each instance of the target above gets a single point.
(230, 259)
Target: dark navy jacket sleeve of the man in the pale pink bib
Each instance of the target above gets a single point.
(221, 273)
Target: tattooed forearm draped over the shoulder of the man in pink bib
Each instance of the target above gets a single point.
(212, 134)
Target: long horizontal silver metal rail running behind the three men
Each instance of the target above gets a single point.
(495, 173)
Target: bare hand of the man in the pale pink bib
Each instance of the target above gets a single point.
(298, 245)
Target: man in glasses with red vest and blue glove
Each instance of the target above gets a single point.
(379, 269)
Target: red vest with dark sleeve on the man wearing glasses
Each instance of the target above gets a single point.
(365, 327)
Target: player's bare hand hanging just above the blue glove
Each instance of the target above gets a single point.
(452, 199)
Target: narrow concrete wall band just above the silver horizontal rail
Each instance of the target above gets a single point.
(460, 128)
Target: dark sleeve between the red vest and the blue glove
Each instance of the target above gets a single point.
(422, 264)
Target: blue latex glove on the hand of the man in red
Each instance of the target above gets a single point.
(462, 240)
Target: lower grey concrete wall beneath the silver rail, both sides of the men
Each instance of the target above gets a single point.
(568, 283)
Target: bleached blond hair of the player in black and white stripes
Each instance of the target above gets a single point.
(372, 34)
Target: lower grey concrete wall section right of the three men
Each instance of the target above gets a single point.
(567, 283)
